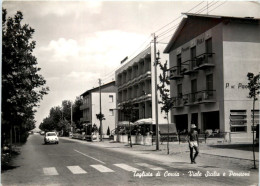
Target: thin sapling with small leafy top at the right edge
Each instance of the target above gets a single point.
(254, 87)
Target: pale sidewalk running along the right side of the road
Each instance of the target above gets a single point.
(180, 151)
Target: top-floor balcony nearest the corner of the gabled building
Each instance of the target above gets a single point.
(204, 61)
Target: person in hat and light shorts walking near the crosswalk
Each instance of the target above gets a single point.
(193, 141)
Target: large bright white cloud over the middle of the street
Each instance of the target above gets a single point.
(103, 50)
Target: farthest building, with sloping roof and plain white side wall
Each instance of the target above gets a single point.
(91, 106)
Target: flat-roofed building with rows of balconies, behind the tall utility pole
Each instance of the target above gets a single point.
(135, 84)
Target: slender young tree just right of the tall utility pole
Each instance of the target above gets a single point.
(166, 100)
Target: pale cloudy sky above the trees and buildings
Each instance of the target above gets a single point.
(78, 42)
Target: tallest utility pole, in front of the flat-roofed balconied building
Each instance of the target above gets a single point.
(155, 93)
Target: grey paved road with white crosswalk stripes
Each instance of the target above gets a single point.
(73, 163)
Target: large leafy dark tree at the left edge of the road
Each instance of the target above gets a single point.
(22, 86)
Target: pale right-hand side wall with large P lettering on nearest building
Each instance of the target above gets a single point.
(239, 59)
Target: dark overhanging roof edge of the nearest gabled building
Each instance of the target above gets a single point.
(216, 17)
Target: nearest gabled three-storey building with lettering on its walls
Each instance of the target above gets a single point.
(210, 57)
